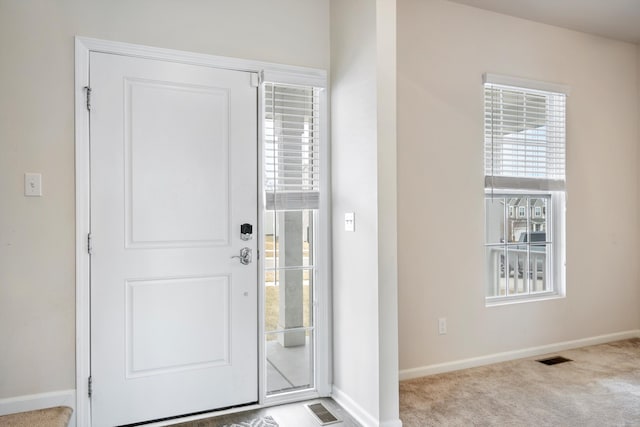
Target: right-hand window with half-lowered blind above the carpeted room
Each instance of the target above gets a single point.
(524, 146)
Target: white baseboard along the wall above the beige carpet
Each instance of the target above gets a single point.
(423, 371)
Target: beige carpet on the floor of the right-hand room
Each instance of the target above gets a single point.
(600, 387)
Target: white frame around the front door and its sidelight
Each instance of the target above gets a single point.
(275, 72)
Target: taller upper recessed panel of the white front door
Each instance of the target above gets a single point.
(177, 138)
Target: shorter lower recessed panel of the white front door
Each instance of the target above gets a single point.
(177, 324)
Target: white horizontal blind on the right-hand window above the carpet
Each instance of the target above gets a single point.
(524, 138)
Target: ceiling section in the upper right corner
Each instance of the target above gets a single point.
(616, 19)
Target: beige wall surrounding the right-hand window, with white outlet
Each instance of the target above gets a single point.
(443, 50)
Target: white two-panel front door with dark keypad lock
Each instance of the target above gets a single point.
(173, 178)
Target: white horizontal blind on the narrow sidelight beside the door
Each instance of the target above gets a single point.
(291, 147)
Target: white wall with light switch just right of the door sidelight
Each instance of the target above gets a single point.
(354, 189)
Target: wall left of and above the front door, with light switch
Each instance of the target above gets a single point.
(37, 300)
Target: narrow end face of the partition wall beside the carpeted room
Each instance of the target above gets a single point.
(387, 213)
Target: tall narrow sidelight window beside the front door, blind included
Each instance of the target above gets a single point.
(291, 181)
